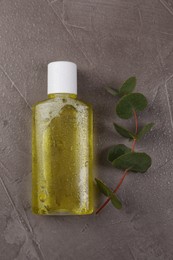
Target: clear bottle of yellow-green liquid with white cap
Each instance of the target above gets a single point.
(62, 147)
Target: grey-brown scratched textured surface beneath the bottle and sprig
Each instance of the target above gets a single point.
(109, 40)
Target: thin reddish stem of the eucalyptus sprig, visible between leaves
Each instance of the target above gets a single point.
(126, 171)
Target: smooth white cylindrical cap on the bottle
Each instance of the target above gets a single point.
(62, 77)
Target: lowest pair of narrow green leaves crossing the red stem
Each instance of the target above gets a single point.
(108, 193)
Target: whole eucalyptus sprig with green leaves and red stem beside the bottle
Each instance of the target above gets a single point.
(120, 155)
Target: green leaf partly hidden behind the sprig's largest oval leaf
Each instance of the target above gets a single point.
(116, 151)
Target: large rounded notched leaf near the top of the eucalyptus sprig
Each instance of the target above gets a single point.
(130, 102)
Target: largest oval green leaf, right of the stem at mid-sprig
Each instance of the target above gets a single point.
(135, 162)
